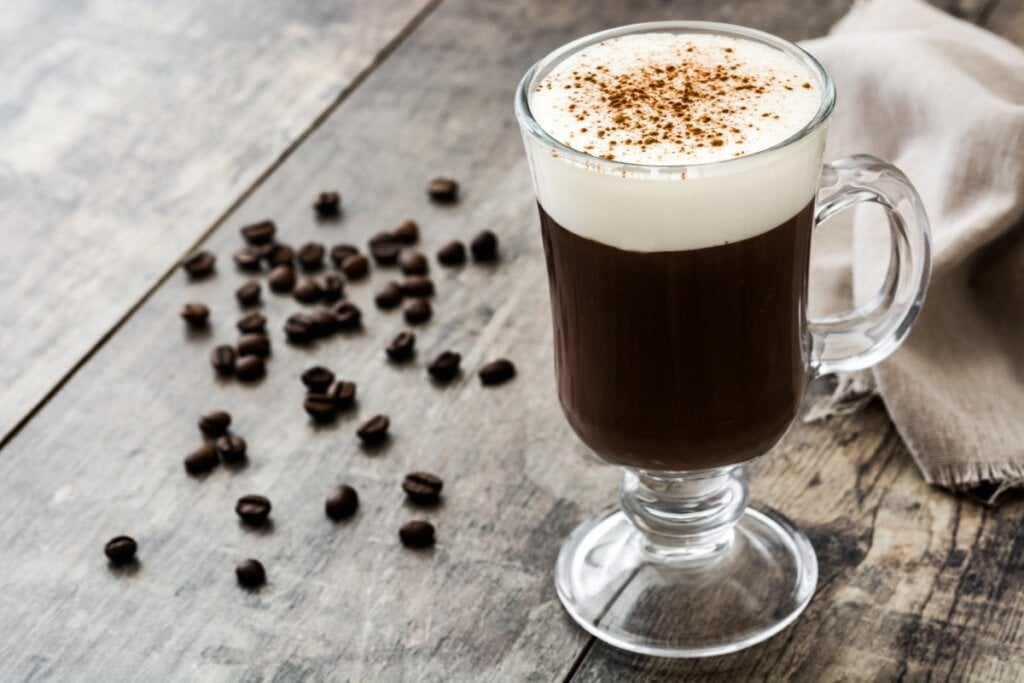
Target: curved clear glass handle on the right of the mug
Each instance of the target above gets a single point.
(864, 336)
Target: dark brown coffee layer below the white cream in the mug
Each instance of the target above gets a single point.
(680, 361)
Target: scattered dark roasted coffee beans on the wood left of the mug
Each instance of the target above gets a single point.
(300, 274)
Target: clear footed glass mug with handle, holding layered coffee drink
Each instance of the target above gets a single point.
(682, 366)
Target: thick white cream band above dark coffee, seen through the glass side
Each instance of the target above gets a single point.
(641, 209)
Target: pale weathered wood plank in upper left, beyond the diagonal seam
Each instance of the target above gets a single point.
(126, 133)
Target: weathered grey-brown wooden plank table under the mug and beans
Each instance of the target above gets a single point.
(130, 137)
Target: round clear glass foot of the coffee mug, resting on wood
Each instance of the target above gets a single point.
(687, 603)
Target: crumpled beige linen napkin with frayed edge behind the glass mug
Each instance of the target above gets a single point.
(944, 101)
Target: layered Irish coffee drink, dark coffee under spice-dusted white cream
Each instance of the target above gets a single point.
(678, 284)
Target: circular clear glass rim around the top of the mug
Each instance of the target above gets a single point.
(529, 123)
